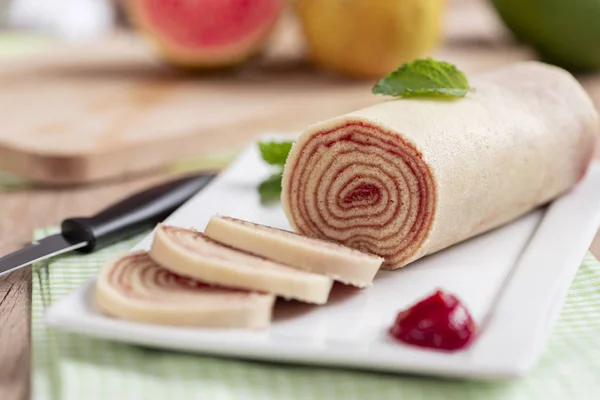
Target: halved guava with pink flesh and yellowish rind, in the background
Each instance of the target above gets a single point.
(206, 33)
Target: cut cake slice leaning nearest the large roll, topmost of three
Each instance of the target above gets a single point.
(338, 262)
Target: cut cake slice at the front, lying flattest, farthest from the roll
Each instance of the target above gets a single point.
(135, 288)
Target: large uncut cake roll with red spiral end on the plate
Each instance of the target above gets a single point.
(408, 177)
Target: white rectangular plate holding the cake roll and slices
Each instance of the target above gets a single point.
(513, 279)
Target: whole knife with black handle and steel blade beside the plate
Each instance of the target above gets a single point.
(88, 234)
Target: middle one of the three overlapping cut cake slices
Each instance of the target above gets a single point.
(192, 254)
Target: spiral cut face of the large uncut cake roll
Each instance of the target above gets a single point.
(363, 187)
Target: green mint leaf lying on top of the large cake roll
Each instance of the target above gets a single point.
(424, 78)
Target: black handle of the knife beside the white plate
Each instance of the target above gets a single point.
(148, 207)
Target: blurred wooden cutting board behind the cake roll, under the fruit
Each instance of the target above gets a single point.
(85, 113)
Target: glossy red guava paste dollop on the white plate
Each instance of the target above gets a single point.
(438, 322)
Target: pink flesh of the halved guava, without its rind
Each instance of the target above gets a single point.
(209, 23)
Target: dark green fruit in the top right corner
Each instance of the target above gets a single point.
(564, 32)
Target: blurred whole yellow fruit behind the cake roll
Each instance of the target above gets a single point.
(369, 38)
